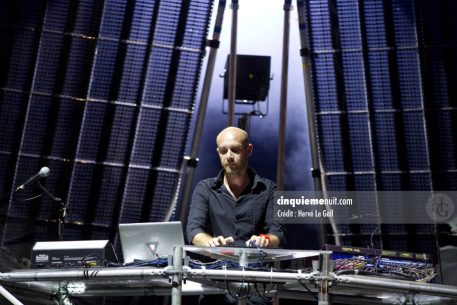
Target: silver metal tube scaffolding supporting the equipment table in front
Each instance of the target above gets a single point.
(66, 281)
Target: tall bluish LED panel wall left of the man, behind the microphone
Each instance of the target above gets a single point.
(102, 93)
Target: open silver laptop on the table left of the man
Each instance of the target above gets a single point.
(150, 240)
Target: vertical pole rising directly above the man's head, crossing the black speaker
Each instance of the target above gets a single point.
(232, 65)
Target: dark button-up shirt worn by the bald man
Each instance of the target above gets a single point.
(214, 211)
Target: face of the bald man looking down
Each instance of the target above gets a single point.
(232, 153)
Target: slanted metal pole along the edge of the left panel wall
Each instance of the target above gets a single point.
(191, 163)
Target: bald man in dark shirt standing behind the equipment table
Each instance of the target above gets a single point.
(237, 205)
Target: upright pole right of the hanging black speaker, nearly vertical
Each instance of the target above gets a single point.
(283, 97)
